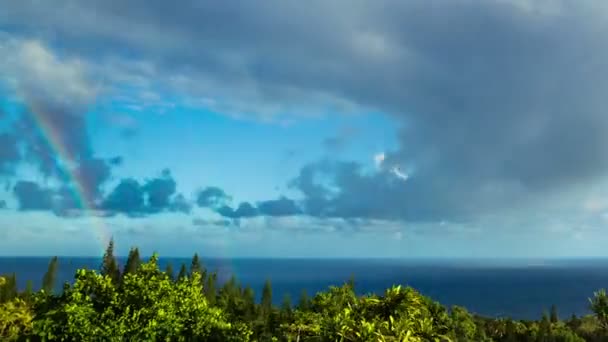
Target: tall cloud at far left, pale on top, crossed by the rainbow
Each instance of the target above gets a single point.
(55, 95)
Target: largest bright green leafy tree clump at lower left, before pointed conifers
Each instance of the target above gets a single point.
(147, 306)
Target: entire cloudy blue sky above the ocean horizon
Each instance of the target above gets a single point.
(465, 128)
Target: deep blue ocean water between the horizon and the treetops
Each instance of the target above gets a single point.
(521, 289)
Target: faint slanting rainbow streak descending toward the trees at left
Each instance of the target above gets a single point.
(82, 197)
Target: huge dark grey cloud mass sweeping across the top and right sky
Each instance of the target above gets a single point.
(496, 100)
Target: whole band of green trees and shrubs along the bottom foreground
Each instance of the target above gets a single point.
(142, 303)
